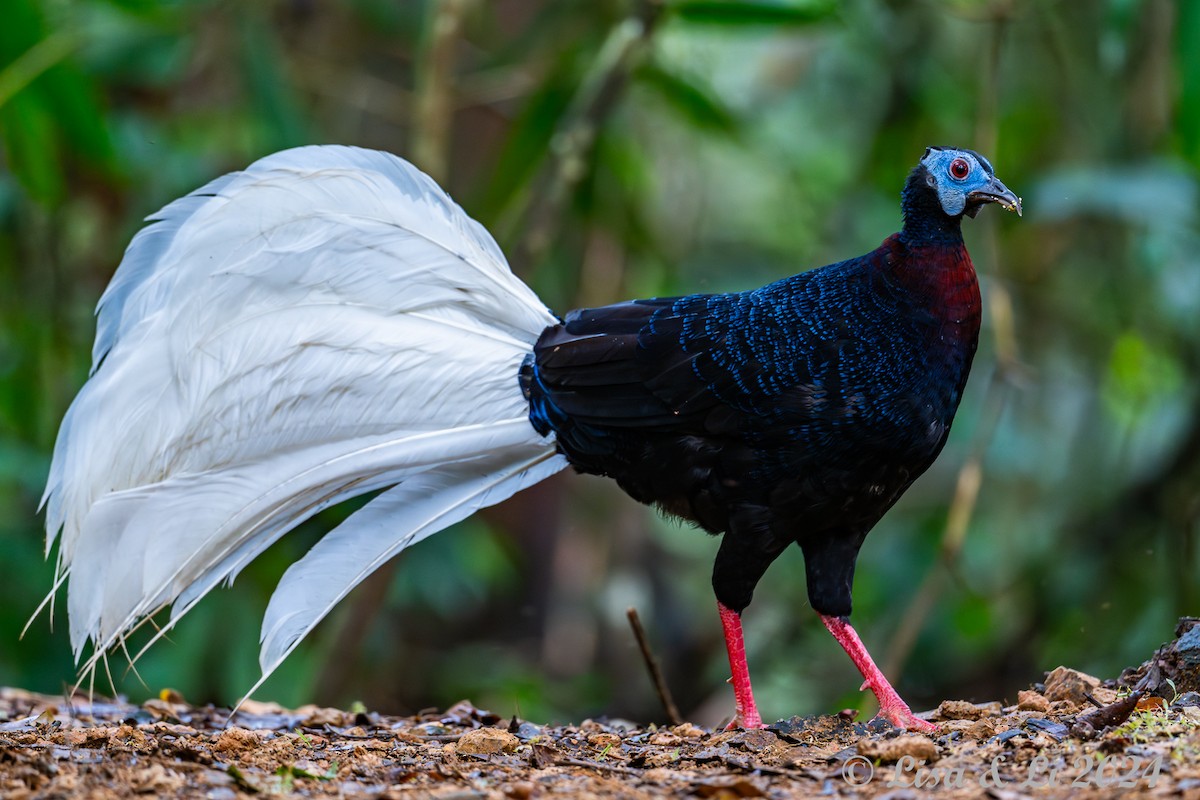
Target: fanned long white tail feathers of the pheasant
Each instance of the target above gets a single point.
(325, 324)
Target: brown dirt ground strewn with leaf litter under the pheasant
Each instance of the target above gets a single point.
(1069, 736)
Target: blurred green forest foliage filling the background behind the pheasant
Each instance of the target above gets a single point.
(713, 147)
